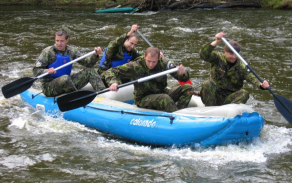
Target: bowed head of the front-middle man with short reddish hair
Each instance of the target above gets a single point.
(151, 56)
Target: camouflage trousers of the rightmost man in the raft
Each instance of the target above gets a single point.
(211, 95)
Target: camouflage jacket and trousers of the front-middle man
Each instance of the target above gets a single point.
(152, 94)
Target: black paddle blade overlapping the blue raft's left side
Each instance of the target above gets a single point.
(75, 100)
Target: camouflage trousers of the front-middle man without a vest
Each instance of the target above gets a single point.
(175, 99)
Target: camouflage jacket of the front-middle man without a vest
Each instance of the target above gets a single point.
(138, 69)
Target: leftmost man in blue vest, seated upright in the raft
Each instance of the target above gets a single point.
(58, 82)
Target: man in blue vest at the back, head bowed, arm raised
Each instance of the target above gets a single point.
(120, 51)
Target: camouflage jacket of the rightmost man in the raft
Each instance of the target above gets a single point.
(224, 76)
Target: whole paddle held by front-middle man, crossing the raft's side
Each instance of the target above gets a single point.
(82, 98)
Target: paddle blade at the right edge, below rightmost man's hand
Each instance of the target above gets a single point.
(284, 106)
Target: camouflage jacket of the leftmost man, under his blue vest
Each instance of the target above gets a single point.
(48, 56)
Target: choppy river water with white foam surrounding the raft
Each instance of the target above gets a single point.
(35, 147)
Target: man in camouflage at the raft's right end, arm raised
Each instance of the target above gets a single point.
(227, 75)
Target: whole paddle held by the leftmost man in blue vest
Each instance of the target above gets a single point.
(25, 83)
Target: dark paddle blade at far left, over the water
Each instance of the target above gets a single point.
(17, 86)
